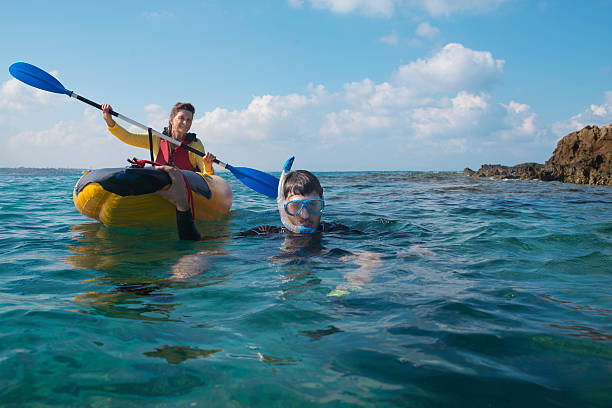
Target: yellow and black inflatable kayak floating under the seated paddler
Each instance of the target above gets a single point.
(125, 196)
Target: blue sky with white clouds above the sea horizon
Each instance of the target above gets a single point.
(344, 85)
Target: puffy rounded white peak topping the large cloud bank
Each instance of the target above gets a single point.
(452, 69)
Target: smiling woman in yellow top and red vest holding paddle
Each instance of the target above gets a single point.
(165, 152)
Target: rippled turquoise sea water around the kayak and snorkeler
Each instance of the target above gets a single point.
(461, 292)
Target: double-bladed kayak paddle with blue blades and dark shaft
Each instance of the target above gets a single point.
(257, 180)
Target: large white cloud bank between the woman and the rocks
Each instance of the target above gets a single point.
(436, 104)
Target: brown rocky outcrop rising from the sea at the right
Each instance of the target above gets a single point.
(582, 157)
